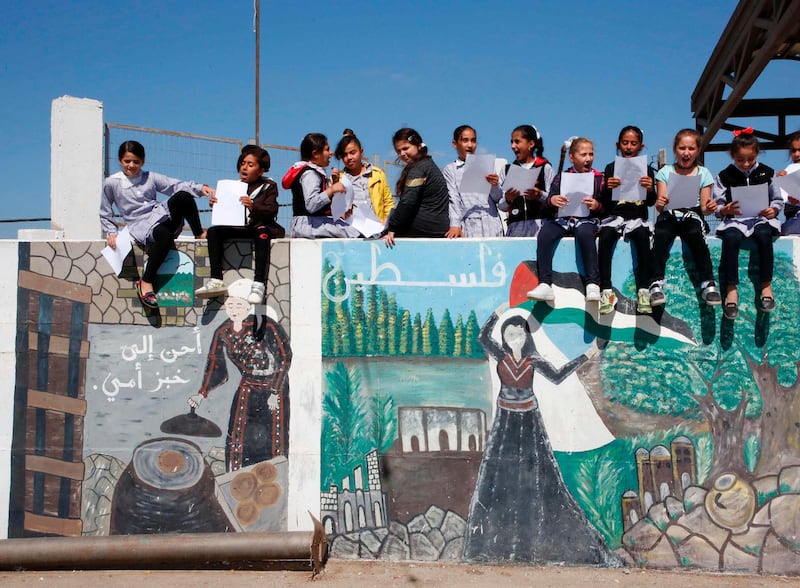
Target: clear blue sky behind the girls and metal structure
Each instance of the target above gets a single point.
(571, 68)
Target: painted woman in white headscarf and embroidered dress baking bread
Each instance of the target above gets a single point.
(258, 426)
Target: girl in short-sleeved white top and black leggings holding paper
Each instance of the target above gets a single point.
(686, 222)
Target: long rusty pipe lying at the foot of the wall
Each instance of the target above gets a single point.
(137, 551)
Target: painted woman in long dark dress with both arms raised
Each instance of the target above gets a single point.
(521, 509)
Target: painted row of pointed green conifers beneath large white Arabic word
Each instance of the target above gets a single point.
(378, 325)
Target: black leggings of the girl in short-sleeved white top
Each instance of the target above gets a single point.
(690, 231)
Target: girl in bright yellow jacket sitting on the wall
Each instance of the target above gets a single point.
(371, 190)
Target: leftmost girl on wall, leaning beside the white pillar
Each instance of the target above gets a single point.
(152, 224)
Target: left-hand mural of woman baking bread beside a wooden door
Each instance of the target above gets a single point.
(132, 422)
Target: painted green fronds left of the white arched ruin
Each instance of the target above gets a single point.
(354, 423)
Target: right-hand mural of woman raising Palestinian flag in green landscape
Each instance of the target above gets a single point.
(461, 421)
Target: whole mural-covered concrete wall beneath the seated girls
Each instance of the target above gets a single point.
(665, 440)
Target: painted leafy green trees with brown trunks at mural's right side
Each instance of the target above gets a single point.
(742, 377)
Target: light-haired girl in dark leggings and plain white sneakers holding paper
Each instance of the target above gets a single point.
(580, 223)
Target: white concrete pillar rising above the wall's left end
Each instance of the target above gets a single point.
(76, 167)
